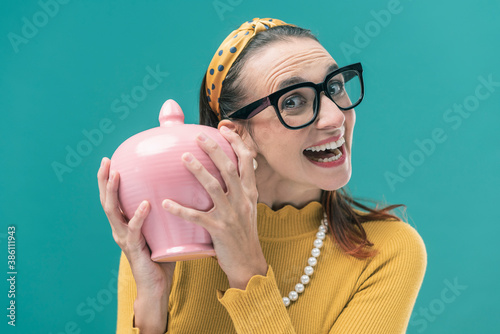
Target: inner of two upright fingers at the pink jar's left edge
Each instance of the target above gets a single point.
(111, 206)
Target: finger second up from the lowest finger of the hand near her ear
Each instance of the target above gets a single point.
(207, 180)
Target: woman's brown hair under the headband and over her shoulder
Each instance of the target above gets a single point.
(344, 220)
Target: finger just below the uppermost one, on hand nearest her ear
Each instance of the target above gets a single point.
(225, 166)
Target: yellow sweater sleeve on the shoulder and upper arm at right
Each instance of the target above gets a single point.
(390, 285)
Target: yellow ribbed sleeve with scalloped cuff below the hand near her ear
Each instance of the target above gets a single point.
(259, 308)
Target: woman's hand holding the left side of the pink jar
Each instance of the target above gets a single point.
(151, 278)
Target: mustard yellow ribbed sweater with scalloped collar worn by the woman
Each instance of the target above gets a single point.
(344, 295)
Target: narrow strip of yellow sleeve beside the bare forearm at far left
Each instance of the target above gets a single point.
(127, 293)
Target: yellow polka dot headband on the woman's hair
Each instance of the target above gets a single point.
(227, 53)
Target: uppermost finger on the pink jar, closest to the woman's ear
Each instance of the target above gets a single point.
(245, 159)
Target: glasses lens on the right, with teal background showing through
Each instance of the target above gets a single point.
(345, 88)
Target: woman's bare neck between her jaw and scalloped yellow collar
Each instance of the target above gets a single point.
(276, 192)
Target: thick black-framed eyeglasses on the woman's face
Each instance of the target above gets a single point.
(297, 106)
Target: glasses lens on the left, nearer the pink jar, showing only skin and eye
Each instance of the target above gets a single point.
(297, 106)
